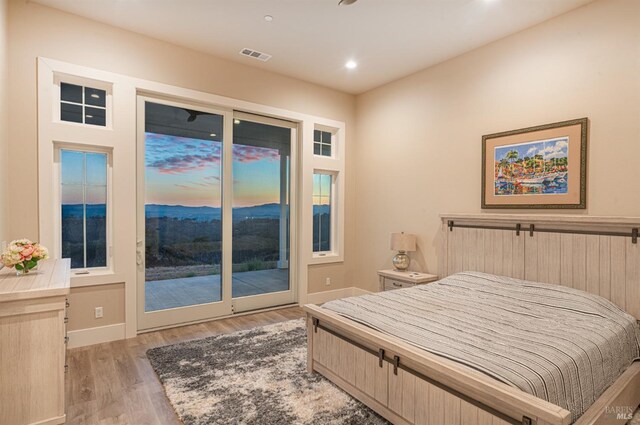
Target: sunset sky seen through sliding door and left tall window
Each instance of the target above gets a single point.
(179, 171)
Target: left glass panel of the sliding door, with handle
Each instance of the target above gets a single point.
(181, 199)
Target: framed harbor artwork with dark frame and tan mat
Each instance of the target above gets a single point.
(536, 167)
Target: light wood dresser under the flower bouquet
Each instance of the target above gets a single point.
(33, 344)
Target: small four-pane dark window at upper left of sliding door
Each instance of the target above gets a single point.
(84, 105)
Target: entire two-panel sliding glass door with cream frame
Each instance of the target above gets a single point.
(214, 196)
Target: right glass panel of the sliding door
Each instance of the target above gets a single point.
(261, 212)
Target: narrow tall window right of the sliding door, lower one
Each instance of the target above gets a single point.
(322, 183)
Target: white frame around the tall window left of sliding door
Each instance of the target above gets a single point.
(57, 184)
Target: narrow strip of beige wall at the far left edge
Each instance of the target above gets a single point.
(4, 119)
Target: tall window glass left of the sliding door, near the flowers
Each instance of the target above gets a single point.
(83, 178)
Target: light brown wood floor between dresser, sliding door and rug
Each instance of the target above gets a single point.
(114, 383)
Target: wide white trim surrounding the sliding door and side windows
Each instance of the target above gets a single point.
(120, 136)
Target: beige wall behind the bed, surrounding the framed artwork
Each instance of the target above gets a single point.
(420, 137)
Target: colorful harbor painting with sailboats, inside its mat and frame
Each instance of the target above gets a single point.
(532, 168)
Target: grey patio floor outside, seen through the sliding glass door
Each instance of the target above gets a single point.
(172, 293)
